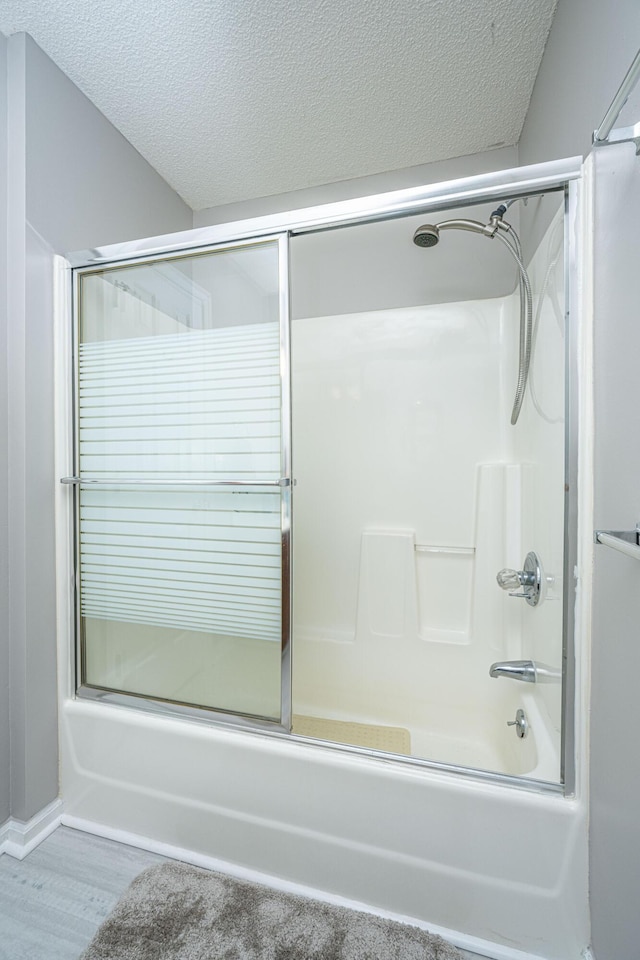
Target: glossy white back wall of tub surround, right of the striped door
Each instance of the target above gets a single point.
(400, 519)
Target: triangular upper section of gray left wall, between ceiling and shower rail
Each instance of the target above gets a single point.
(86, 184)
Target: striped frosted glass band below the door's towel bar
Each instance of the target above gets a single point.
(197, 559)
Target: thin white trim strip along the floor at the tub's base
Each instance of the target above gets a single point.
(483, 948)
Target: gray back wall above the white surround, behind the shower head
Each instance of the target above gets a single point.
(376, 266)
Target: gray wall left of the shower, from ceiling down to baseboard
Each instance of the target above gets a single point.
(74, 182)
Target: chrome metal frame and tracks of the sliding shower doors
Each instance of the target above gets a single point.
(519, 182)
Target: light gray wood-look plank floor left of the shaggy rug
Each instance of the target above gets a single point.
(53, 901)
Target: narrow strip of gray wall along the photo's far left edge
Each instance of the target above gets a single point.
(4, 557)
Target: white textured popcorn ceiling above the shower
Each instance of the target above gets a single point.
(234, 99)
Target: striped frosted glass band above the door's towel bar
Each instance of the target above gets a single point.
(205, 406)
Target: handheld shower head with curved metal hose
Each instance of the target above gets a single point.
(428, 235)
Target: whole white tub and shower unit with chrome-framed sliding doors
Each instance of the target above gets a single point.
(293, 498)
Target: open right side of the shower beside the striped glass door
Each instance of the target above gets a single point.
(414, 491)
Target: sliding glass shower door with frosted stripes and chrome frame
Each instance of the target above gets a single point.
(183, 479)
